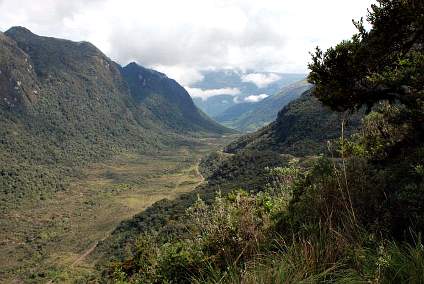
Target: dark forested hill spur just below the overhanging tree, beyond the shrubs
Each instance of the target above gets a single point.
(302, 128)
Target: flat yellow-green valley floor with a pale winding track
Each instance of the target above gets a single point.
(49, 241)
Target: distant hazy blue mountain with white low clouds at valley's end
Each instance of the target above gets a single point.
(234, 86)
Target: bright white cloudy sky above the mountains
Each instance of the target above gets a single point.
(183, 37)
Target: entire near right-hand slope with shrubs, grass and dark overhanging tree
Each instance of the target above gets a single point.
(352, 215)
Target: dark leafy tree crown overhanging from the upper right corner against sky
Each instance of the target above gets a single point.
(384, 63)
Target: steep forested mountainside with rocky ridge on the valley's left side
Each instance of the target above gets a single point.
(65, 103)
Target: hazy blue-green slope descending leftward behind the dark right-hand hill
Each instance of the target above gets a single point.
(248, 117)
